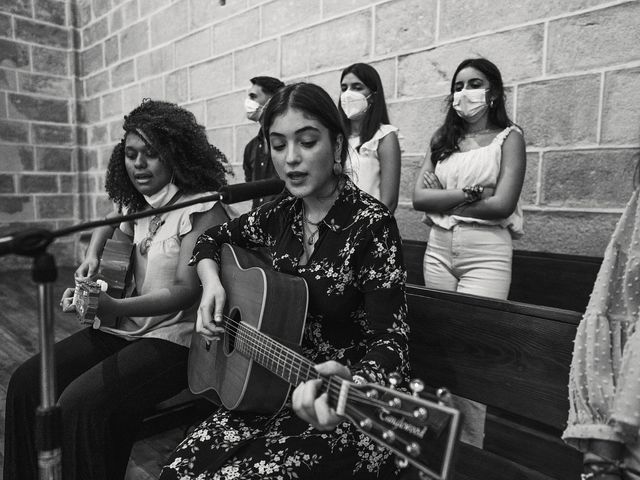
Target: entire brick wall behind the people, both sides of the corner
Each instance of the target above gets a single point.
(572, 71)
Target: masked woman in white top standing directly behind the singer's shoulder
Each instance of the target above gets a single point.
(374, 156)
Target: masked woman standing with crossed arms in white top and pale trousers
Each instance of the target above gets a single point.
(469, 187)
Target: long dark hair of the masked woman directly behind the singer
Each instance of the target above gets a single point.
(376, 114)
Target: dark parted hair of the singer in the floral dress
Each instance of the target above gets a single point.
(313, 101)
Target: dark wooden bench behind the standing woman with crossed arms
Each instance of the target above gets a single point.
(540, 278)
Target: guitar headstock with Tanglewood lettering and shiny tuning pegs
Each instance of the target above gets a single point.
(422, 432)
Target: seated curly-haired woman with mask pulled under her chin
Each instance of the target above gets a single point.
(109, 378)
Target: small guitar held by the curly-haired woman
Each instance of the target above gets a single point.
(114, 277)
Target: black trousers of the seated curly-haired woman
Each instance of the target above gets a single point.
(105, 386)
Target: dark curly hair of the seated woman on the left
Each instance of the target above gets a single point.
(182, 144)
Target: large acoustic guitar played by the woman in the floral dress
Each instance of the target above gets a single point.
(256, 362)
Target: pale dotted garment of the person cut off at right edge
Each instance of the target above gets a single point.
(604, 381)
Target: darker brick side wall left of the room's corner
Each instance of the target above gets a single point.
(38, 159)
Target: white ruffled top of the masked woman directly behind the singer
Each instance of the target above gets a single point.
(364, 167)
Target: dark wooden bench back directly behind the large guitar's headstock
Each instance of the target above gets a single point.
(510, 356)
